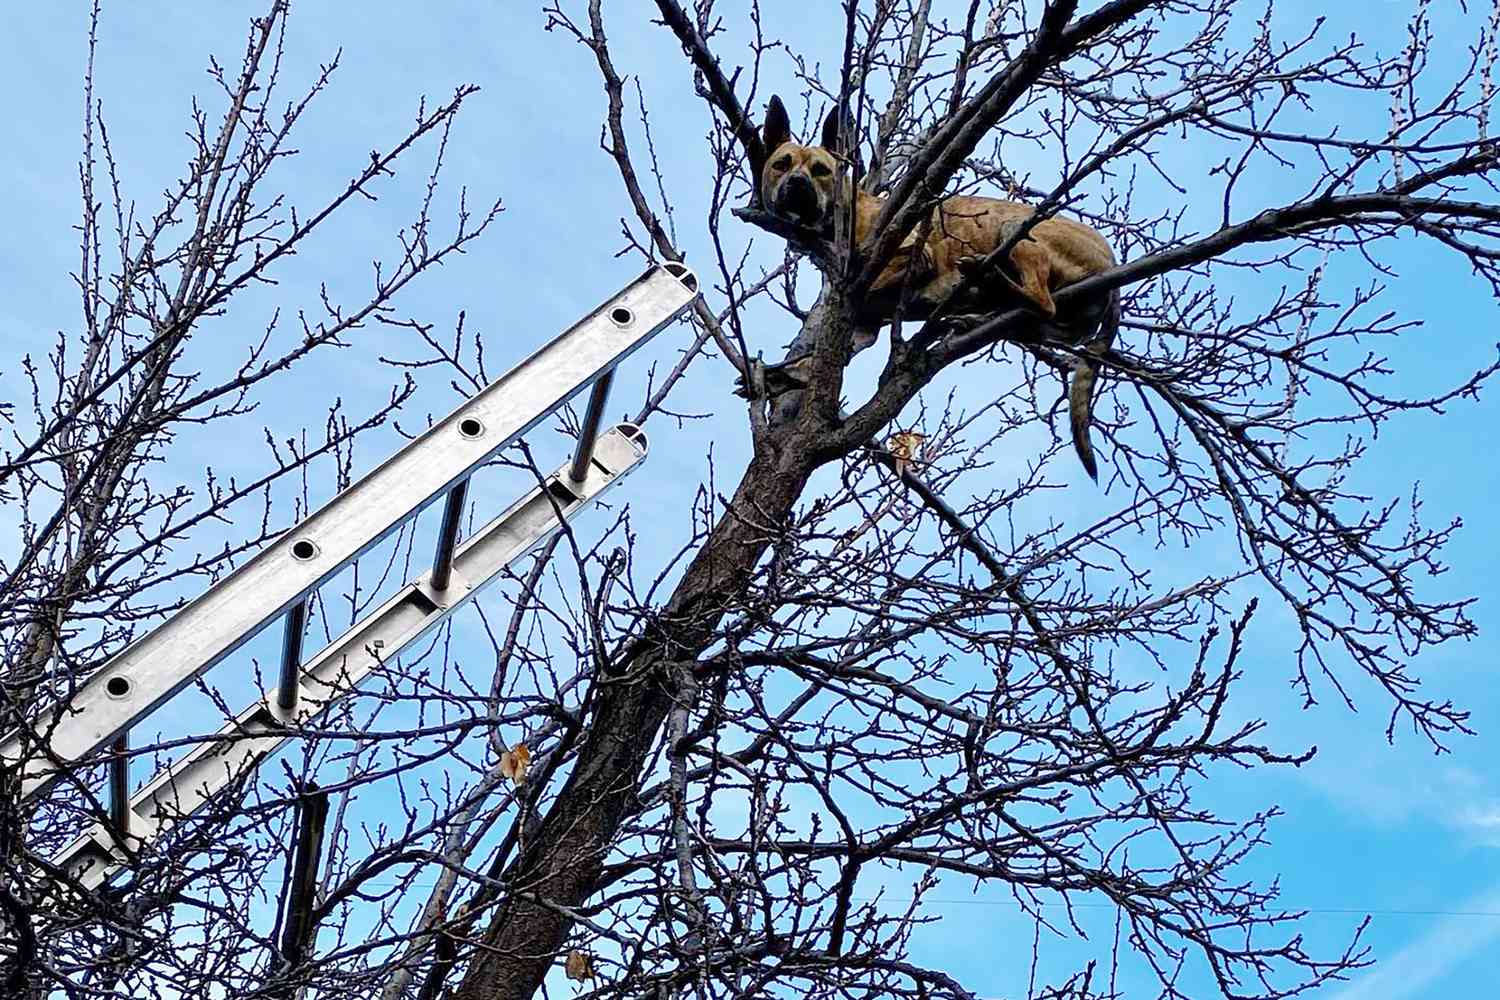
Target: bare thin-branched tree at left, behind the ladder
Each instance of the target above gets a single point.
(95, 560)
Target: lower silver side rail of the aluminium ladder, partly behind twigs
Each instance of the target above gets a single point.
(244, 743)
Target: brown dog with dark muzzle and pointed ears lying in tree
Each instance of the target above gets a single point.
(800, 184)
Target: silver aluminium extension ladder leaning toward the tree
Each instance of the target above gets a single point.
(280, 581)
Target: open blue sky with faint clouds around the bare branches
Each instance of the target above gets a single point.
(1399, 833)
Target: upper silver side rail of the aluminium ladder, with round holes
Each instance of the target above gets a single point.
(164, 662)
